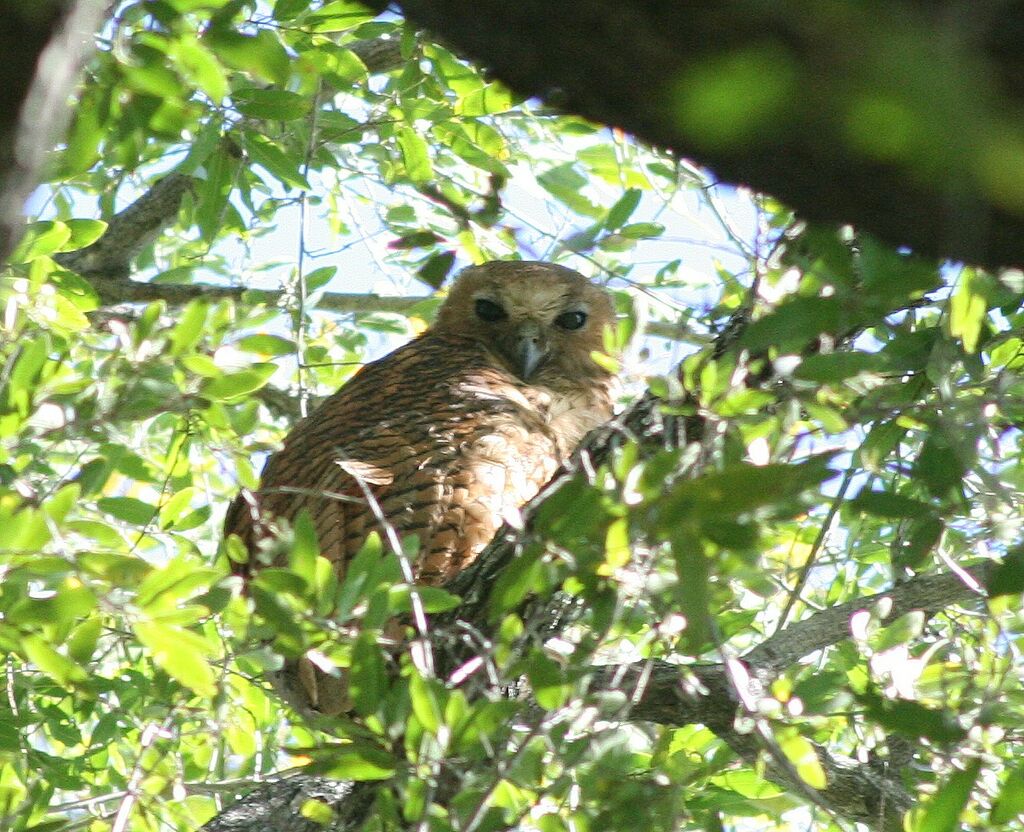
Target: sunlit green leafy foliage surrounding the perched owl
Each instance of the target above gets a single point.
(864, 430)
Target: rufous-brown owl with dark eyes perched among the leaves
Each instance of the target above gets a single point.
(448, 437)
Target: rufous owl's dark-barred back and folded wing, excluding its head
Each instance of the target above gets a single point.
(435, 439)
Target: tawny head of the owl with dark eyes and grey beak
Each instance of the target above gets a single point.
(542, 321)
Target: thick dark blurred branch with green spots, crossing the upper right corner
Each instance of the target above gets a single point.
(849, 114)
